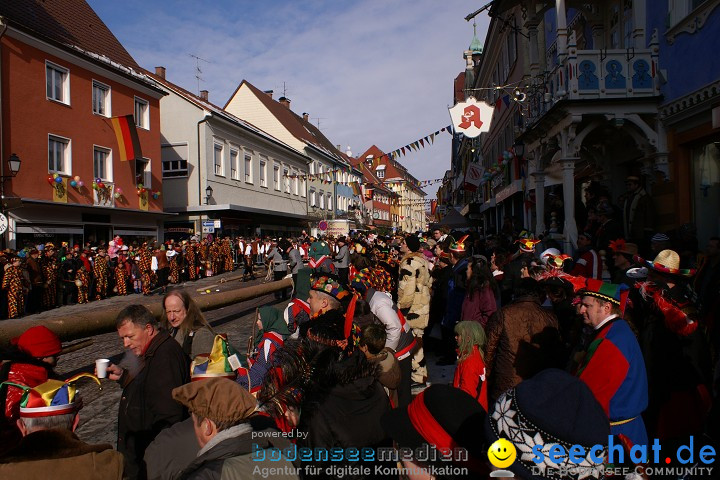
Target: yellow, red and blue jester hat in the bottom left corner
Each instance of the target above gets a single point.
(53, 397)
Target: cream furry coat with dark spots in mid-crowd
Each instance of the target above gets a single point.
(414, 289)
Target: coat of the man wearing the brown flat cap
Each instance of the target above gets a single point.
(234, 453)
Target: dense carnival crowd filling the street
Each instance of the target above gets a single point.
(618, 342)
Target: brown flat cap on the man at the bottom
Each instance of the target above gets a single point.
(219, 399)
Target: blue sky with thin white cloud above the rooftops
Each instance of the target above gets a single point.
(370, 72)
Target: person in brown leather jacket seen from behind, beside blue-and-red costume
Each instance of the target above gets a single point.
(522, 339)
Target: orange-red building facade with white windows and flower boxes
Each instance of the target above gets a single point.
(57, 105)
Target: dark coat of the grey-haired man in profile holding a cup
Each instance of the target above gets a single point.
(146, 405)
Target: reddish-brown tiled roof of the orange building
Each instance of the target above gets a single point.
(67, 22)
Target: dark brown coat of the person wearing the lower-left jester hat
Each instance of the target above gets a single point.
(60, 455)
